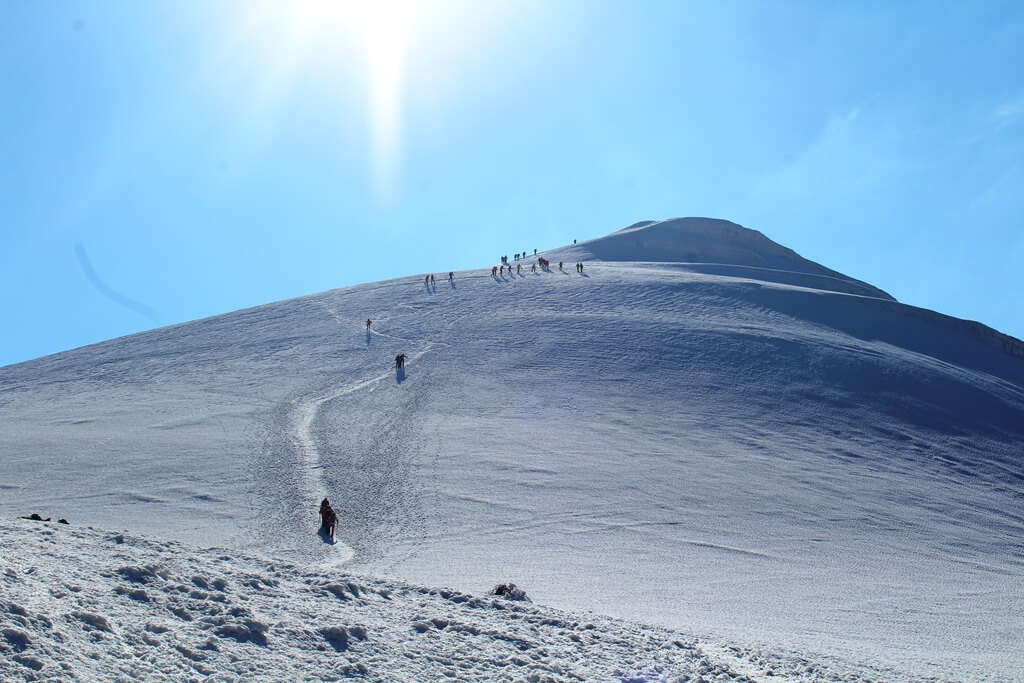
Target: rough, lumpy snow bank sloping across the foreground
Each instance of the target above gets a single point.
(87, 605)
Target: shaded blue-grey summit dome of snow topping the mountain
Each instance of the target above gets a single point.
(731, 248)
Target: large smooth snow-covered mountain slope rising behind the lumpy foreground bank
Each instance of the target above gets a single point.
(703, 432)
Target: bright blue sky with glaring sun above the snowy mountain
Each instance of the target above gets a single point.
(169, 161)
